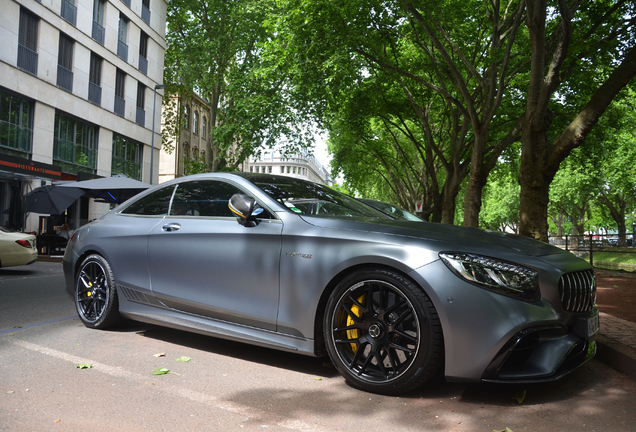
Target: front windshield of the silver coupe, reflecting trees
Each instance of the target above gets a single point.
(307, 198)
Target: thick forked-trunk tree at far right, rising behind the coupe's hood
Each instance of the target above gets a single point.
(583, 54)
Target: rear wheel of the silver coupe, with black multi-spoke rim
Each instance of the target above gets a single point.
(95, 294)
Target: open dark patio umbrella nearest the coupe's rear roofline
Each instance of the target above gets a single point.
(115, 189)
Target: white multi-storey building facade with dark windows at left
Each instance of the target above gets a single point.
(77, 82)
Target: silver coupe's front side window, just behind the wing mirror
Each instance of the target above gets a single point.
(203, 198)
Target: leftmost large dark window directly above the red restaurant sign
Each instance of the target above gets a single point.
(16, 120)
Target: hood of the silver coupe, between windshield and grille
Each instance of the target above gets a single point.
(443, 237)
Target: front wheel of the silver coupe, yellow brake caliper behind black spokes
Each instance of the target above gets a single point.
(383, 333)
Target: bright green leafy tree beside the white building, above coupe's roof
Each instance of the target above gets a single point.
(215, 47)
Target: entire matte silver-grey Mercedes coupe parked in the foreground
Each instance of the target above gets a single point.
(293, 265)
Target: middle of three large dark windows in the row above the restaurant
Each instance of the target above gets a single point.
(74, 144)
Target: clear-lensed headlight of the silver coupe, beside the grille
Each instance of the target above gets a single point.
(503, 277)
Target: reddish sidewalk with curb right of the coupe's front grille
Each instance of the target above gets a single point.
(617, 336)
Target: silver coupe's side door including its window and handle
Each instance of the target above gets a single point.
(212, 266)
